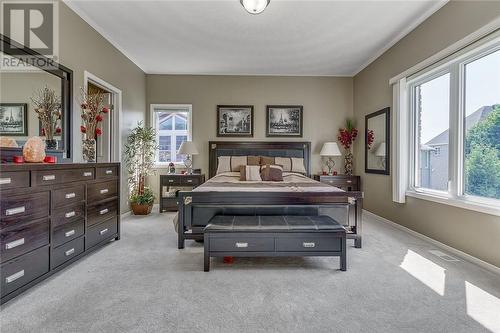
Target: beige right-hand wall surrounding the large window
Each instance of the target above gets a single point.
(474, 233)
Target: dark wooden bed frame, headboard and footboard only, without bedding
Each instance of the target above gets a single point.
(197, 208)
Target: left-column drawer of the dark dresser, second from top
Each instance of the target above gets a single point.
(30, 205)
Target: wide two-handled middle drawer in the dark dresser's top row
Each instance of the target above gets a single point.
(50, 177)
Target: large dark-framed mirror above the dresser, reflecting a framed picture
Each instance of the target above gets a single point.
(18, 119)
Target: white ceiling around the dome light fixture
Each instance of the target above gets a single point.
(219, 37)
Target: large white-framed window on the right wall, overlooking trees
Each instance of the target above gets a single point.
(449, 118)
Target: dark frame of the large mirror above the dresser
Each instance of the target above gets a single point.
(66, 76)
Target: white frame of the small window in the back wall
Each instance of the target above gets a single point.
(171, 108)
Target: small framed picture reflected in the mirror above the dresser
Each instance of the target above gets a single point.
(14, 119)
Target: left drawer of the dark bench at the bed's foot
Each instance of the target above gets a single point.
(243, 244)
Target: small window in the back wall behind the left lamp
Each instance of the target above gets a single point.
(173, 127)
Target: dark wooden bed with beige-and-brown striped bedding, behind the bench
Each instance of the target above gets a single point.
(298, 194)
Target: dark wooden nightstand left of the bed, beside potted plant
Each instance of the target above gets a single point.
(169, 204)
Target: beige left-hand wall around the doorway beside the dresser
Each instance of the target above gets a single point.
(83, 49)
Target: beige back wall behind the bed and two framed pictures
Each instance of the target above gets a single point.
(327, 103)
